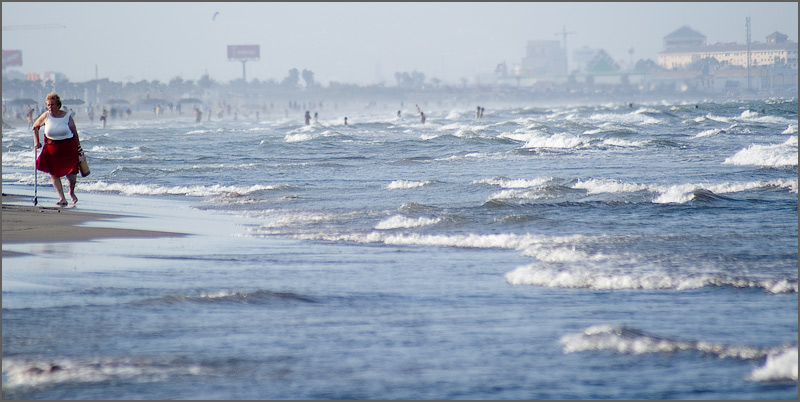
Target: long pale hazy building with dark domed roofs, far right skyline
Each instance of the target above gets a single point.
(688, 47)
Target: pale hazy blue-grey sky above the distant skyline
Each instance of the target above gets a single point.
(360, 43)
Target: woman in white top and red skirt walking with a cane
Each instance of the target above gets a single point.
(59, 156)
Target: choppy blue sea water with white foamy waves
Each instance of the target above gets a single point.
(539, 252)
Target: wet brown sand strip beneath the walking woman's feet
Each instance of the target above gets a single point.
(39, 224)
